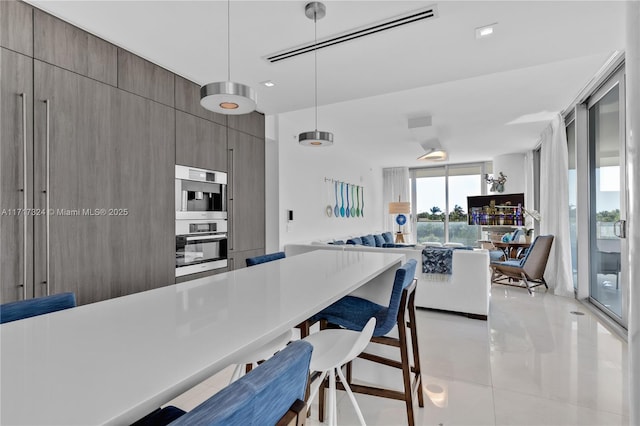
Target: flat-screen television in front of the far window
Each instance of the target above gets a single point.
(496, 210)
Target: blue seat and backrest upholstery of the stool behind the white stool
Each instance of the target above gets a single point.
(353, 312)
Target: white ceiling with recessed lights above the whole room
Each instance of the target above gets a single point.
(541, 55)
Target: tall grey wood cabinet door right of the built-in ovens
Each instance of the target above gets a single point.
(246, 192)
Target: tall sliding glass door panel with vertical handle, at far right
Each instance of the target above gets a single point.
(608, 283)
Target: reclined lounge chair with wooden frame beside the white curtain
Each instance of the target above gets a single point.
(529, 269)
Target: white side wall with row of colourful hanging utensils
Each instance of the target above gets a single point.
(302, 188)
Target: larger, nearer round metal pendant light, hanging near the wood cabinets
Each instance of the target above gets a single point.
(228, 97)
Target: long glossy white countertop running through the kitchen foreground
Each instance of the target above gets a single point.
(114, 361)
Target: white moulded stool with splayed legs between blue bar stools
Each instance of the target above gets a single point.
(333, 348)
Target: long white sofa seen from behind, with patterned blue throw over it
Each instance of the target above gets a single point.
(467, 290)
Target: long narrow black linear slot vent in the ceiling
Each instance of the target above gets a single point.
(430, 12)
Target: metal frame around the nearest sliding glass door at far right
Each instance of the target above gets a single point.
(615, 81)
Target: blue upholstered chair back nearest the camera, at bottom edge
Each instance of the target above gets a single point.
(271, 393)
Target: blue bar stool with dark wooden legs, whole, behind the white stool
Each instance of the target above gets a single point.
(352, 313)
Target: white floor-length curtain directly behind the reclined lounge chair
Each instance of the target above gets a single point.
(554, 202)
